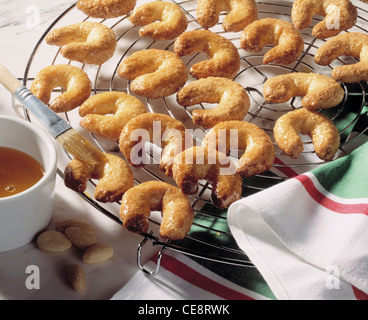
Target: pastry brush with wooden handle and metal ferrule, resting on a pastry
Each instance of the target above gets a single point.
(72, 141)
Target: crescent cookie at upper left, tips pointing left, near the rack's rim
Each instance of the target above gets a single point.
(85, 42)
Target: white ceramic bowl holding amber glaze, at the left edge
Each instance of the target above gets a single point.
(24, 214)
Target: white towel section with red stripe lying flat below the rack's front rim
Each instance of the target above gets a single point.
(183, 278)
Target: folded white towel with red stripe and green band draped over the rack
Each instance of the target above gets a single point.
(308, 235)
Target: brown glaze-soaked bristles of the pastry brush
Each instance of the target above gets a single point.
(80, 147)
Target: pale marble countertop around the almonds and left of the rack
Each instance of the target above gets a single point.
(22, 23)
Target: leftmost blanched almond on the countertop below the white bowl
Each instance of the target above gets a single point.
(53, 241)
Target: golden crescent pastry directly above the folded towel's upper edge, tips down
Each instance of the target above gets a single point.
(323, 132)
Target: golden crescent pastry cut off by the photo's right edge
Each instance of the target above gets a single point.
(354, 44)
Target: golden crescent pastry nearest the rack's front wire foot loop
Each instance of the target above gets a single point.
(138, 202)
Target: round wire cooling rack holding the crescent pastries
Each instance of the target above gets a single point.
(210, 237)
